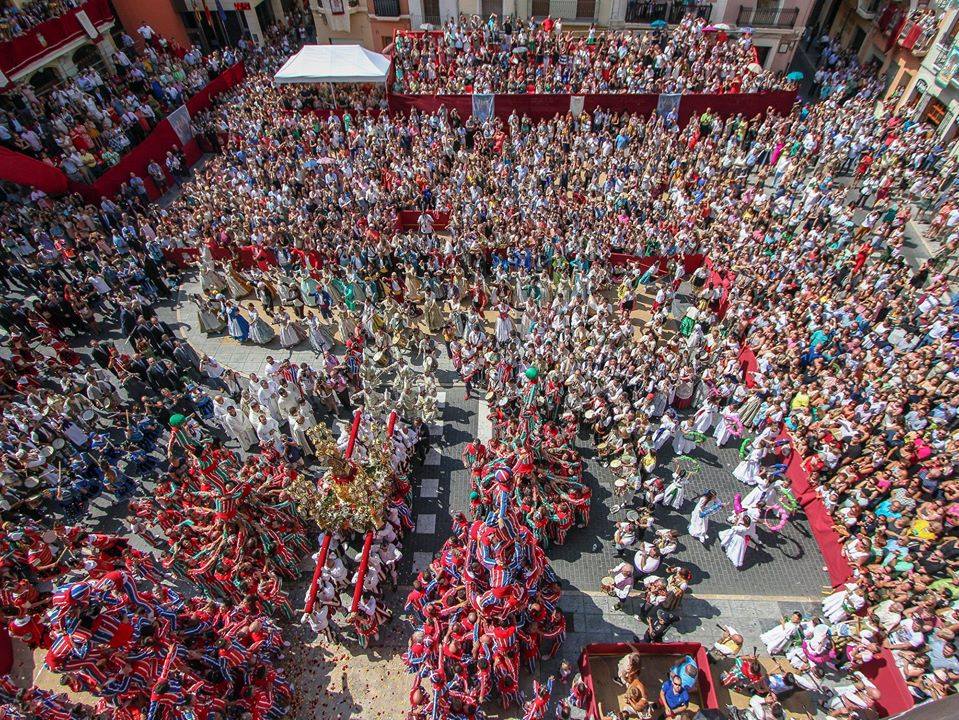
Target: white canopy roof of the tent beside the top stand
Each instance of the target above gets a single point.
(333, 63)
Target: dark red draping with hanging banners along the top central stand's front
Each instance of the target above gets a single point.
(539, 107)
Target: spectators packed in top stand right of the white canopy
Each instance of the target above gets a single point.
(472, 55)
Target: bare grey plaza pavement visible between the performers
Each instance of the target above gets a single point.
(783, 574)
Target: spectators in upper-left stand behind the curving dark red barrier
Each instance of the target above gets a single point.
(87, 124)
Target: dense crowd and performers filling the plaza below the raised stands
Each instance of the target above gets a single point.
(514, 267)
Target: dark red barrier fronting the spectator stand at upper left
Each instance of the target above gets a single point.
(23, 170)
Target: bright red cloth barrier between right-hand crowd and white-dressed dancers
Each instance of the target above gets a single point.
(882, 671)
